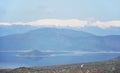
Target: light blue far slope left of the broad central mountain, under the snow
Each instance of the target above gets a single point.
(15, 29)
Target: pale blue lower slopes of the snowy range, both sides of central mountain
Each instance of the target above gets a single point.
(16, 29)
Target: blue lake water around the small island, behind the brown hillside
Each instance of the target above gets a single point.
(12, 60)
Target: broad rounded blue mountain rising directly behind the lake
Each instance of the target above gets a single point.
(60, 39)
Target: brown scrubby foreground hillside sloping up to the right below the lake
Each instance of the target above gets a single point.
(109, 66)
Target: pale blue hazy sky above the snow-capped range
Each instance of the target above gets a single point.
(32, 10)
